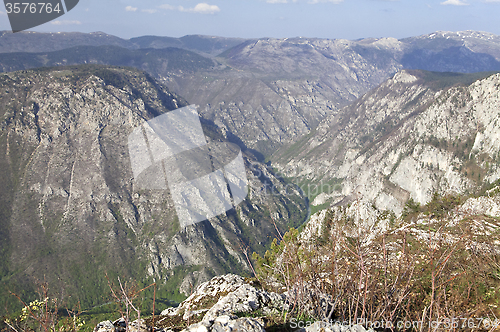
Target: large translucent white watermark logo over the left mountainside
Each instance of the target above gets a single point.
(171, 151)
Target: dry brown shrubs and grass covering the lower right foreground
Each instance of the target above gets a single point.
(392, 276)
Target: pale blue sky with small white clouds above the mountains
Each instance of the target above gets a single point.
(332, 19)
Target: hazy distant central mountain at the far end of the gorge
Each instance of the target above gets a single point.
(273, 91)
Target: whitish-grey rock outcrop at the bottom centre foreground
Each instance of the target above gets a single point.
(223, 304)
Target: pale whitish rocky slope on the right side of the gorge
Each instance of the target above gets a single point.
(416, 134)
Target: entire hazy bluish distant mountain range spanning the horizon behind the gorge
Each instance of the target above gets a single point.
(269, 92)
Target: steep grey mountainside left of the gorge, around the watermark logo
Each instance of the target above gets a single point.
(70, 208)
